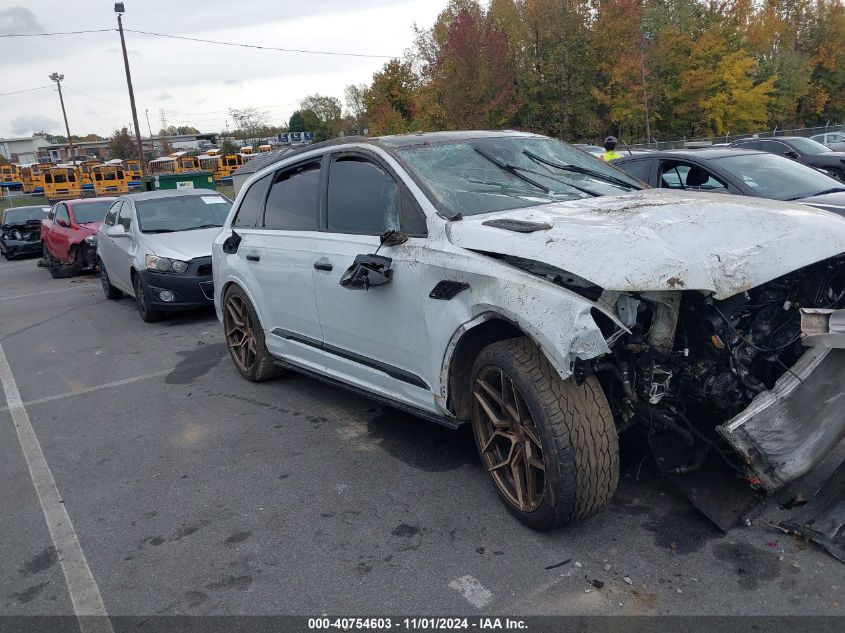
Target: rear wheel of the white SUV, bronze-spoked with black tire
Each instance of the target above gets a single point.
(261, 366)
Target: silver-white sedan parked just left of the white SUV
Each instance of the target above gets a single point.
(156, 247)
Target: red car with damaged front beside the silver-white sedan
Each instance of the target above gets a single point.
(69, 235)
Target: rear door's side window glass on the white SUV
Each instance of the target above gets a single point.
(294, 199)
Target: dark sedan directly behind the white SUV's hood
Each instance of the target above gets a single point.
(738, 171)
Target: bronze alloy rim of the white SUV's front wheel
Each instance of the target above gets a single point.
(508, 439)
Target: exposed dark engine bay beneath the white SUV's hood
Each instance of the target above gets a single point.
(688, 364)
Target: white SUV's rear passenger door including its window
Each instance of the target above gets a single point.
(277, 220)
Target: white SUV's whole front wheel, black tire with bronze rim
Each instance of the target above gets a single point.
(549, 445)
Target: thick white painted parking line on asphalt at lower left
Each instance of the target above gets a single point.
(84, 593)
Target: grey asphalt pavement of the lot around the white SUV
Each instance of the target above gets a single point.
(192, 491)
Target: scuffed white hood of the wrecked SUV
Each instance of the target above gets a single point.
(665, 240)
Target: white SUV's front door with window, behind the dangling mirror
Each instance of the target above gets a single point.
(374, 338)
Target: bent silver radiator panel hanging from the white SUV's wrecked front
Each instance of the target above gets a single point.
(785, 432)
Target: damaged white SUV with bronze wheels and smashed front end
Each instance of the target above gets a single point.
(511, 281)
